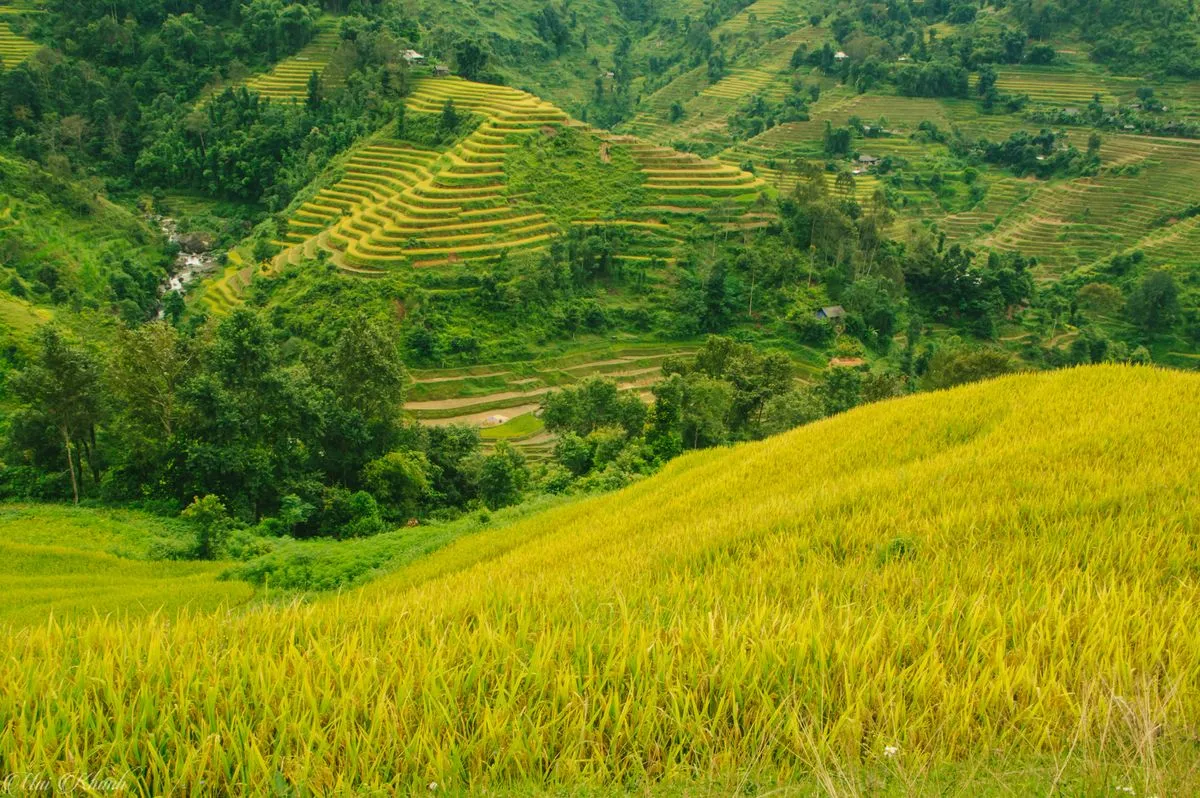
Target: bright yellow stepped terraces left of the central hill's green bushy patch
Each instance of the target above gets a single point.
(399, 205)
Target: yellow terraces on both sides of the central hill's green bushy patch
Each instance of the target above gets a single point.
(398, 205)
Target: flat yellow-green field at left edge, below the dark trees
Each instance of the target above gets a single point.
(70, 563)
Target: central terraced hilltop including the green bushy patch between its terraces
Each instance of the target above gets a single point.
(493, 193)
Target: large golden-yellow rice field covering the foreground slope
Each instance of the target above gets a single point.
(992, 590)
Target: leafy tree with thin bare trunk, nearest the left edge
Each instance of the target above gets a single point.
(63, 385)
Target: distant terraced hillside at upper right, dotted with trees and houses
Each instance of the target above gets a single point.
(1138, 201)
